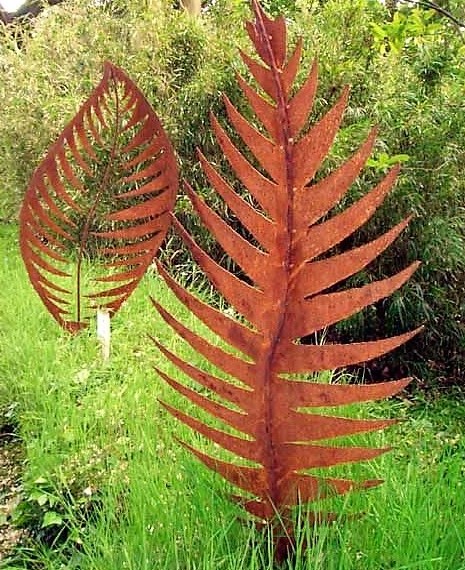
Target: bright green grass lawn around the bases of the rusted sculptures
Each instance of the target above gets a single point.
(102, 462)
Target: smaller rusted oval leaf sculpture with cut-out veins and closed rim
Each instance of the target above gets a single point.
(102, 193)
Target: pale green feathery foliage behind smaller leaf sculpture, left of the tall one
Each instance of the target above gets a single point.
(181, 64)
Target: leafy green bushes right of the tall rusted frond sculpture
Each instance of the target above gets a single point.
(414, 94)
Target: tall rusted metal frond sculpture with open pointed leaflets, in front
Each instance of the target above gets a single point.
(285, 296)
